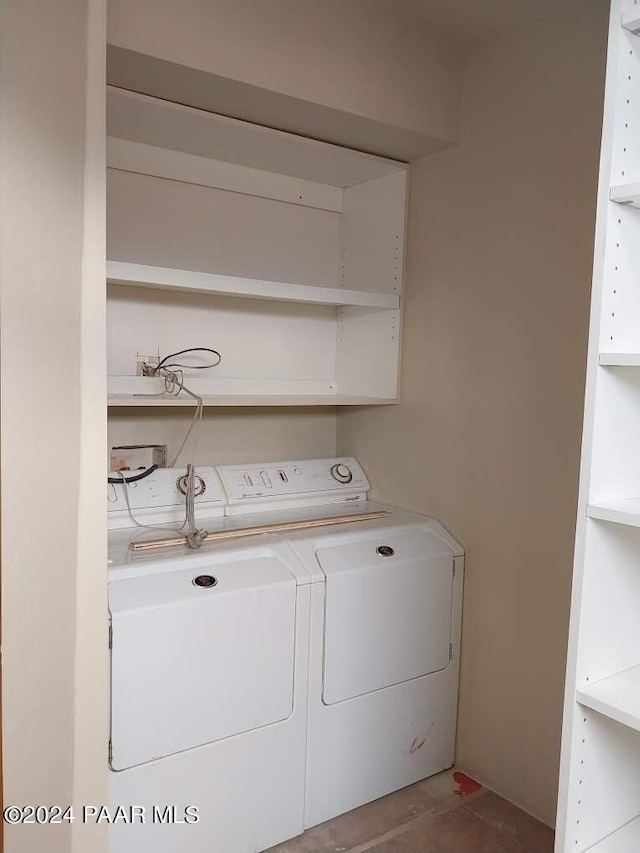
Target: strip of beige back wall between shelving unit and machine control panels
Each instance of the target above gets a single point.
(231, 435)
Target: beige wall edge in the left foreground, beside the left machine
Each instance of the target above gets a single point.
(47, 420)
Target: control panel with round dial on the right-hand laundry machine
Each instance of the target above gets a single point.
(283, 485)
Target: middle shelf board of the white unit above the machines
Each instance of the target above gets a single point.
(187, 281)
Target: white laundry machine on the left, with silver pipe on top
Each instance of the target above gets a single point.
(208, 683)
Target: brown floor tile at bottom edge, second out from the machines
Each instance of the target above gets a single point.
(453, 831)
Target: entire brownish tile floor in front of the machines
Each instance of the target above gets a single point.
(447, 813)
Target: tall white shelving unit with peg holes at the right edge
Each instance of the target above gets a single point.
(599, 803)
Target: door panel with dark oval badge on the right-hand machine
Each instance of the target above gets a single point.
(388, 610)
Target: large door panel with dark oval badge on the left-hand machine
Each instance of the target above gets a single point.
(200, 654)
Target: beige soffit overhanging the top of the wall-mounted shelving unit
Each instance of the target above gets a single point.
(323, 66)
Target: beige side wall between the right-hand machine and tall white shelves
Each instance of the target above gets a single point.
(487, 436)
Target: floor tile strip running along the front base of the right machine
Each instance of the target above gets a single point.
(364, 824)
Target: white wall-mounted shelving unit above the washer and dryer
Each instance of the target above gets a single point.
(283, 253)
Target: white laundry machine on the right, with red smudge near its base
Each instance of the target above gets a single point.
(386, 601)
